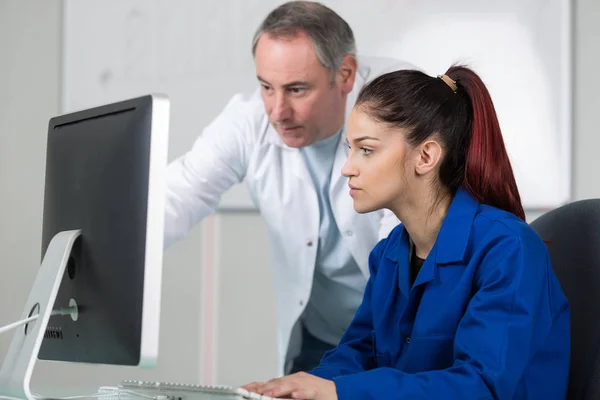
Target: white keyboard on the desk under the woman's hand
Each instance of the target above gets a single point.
(180, 391)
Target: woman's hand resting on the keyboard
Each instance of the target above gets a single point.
(297, 386)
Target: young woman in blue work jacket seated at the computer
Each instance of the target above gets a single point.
(462, 302)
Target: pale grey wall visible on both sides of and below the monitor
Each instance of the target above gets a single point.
(30, 54)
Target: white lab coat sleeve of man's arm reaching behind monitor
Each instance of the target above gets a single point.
(217, 160)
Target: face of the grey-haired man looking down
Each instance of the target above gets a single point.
(302, 104)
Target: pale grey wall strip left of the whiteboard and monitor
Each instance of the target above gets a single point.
(29, 93)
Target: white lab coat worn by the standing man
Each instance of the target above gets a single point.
(241, 145)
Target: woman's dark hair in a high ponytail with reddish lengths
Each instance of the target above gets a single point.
(465, 121)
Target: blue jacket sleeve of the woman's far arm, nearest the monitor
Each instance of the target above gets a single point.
(354, 352)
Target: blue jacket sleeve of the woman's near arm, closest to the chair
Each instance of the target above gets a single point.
(511, 314)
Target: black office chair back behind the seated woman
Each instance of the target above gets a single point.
(573, 236)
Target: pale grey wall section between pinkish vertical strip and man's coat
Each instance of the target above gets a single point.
(246, 346)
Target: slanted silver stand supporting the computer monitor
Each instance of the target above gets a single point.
(15, 375)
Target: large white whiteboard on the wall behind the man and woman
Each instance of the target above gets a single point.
(198, 52)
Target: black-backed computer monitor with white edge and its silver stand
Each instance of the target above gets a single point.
(102, 242)
